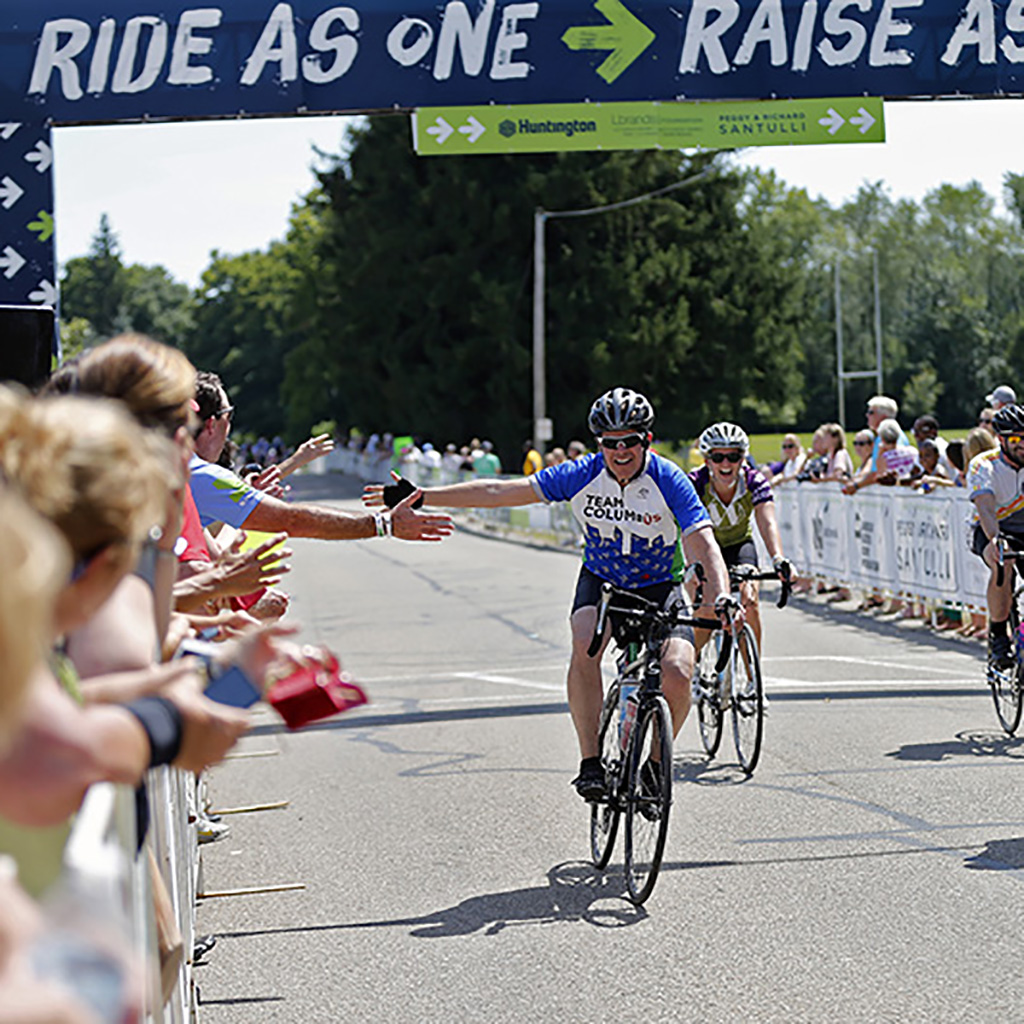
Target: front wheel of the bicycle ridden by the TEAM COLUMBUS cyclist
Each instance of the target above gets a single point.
(649, 798)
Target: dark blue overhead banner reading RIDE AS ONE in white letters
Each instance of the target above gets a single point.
(67, 62)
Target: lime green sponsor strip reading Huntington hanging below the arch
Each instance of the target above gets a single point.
(440, 132)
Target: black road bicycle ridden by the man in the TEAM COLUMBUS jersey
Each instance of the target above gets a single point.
(635, 736)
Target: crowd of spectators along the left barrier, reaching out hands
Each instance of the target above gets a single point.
(123, 549)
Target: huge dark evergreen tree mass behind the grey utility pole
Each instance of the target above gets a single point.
(423, 317)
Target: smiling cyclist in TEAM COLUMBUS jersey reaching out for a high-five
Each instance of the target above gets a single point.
(641, 517)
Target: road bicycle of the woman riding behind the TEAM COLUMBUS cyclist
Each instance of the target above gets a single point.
(739, 687)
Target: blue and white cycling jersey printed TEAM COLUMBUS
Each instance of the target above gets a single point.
(632, 533)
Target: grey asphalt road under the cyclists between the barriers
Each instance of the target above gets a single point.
(871, 870)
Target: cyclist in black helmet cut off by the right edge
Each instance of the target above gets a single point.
(996, 480)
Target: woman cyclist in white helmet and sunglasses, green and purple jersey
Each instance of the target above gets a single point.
(737, 496)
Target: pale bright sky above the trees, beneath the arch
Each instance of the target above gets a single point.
(174, 193)
